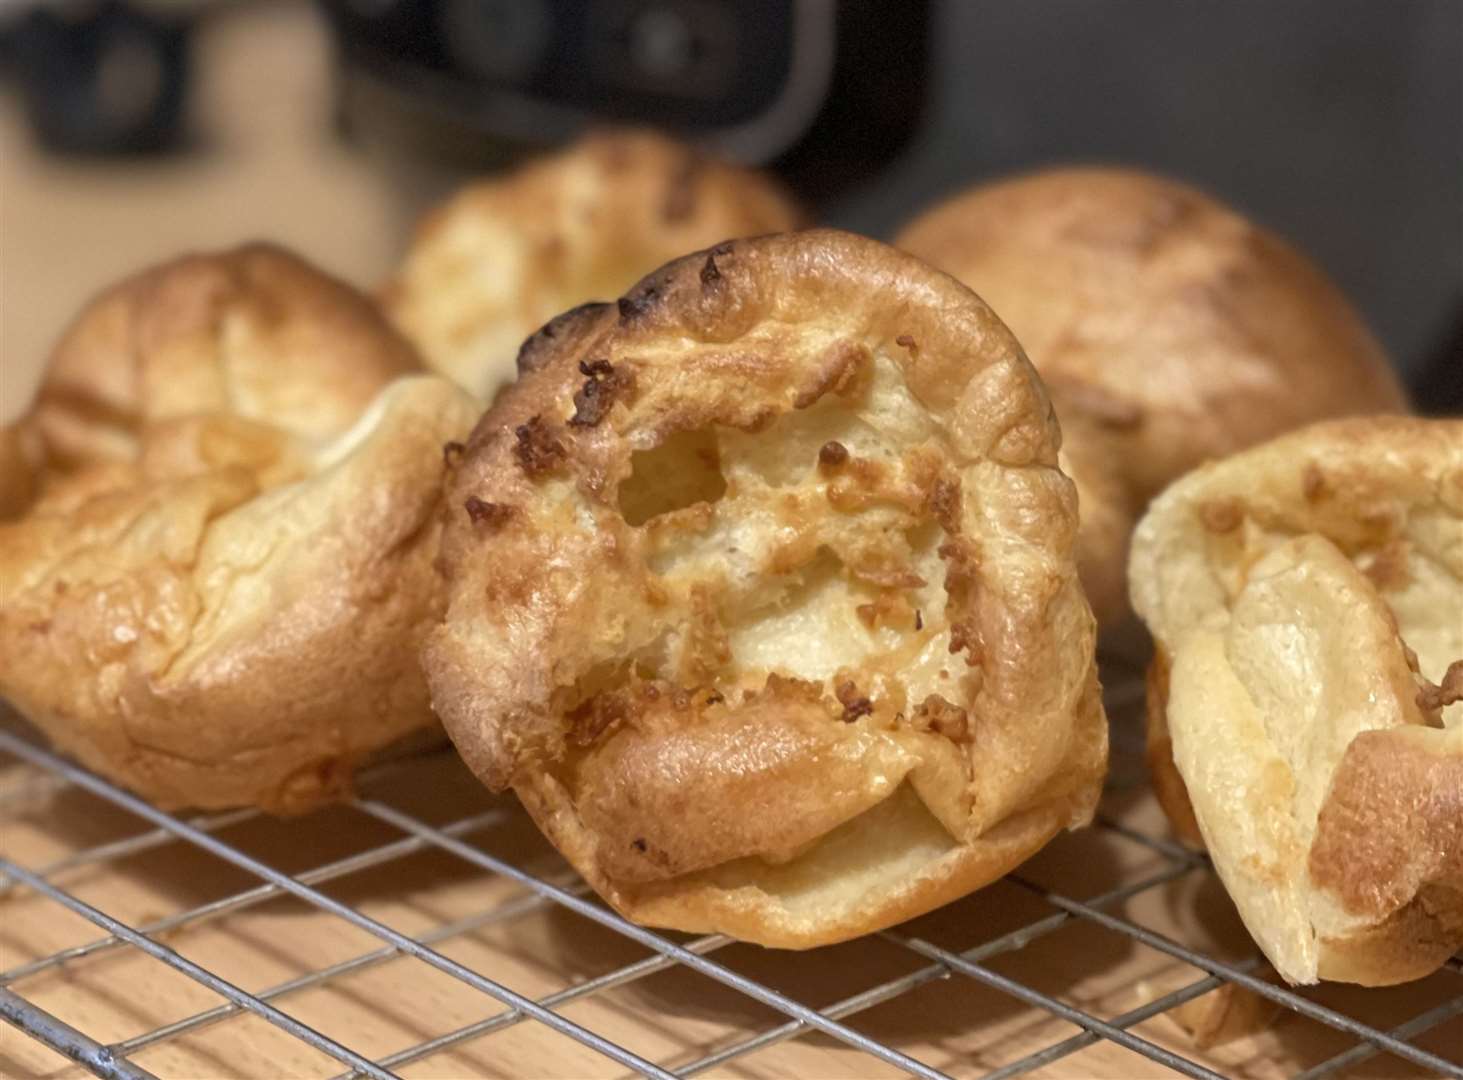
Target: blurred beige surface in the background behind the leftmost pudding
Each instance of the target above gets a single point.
(266, 168)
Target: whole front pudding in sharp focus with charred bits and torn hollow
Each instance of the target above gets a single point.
(763, 599)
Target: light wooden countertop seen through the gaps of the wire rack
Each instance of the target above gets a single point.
(671, 1016)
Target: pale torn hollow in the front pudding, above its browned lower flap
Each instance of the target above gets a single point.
(807, 550)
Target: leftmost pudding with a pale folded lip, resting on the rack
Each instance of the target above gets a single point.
(217, 589)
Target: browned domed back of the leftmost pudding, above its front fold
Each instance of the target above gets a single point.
(254, 333)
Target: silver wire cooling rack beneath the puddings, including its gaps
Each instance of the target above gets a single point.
(426, 930)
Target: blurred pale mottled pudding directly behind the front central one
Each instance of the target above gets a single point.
(505, 255)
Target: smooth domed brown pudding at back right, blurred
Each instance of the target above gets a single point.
(1168, 329)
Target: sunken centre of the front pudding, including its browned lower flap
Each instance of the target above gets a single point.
(795, 656)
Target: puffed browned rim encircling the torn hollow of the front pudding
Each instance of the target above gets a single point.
(549, 588)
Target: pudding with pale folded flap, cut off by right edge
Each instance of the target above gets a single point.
(1307, 703)
